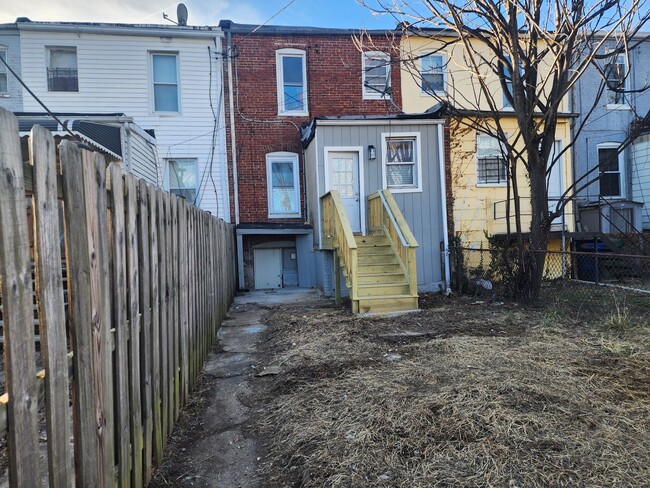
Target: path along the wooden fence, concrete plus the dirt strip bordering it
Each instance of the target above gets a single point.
(212, 445)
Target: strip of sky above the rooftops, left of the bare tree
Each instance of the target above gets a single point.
(317, 13)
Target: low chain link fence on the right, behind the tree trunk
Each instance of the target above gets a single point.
(593, 280)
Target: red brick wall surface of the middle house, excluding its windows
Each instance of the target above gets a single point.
(334, 87)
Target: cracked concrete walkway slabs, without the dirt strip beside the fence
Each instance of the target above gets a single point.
(225, 456)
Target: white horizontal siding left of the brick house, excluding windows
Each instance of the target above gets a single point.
(116, 78)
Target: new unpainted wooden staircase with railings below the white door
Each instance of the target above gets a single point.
(379, 269)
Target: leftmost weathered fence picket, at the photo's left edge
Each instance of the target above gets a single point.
(18, 313)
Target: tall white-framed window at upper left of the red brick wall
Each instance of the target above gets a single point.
(291, 75)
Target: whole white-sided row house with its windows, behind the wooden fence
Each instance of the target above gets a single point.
(166, 79)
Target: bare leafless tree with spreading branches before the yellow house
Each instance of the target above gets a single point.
(536, 50)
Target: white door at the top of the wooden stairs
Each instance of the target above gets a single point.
(344, 178)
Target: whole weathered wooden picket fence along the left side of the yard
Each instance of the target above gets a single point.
(149, 279)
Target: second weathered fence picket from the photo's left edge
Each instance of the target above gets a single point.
(51, 311)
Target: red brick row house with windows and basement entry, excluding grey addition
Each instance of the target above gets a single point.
(277, 79)
